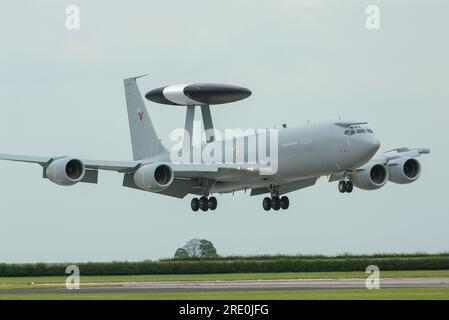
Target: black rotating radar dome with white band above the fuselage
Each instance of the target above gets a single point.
(198, 94)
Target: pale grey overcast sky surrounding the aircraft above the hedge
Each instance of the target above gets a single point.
(61, 93)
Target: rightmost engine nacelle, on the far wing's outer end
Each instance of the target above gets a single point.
(404, 170)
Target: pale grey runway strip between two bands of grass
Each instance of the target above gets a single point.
(237, 285)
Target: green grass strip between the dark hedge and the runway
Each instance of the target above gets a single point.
(5, 282)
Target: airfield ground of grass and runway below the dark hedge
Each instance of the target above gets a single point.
(319, 285)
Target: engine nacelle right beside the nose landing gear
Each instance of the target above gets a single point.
(371, 176)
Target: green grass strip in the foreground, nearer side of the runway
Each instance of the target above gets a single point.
(359, 294)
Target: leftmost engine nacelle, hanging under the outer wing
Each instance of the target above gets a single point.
(65, 171)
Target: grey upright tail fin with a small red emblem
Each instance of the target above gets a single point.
(144, 140)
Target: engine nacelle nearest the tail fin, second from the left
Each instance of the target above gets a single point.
(154, 177)
